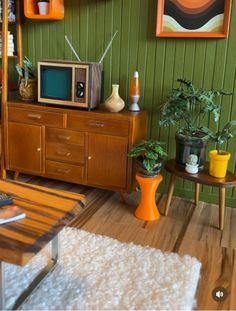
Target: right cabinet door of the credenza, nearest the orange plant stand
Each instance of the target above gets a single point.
(107, 160)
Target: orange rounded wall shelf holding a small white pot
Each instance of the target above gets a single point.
(56, 10)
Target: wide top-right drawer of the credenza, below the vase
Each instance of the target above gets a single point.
(98, 125)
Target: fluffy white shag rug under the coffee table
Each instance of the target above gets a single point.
(97, 272)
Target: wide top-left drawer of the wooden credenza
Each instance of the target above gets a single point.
(35, 117)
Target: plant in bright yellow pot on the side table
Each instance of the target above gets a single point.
(219, 157)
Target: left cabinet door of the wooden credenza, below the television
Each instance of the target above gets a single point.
(24, 147)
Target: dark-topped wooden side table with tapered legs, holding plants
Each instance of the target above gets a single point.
(201, 178)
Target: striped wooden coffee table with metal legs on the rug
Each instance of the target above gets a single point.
(47, 212)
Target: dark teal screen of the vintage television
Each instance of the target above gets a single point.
(56, 82)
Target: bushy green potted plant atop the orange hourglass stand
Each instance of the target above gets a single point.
(150, 155)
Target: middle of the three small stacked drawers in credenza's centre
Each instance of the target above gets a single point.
(64, 152)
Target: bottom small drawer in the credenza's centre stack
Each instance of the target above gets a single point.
(67, 172)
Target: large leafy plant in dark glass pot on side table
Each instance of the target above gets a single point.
(187, 108)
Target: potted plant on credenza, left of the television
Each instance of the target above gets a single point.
(27, 80)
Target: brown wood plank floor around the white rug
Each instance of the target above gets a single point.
(186, 230)
